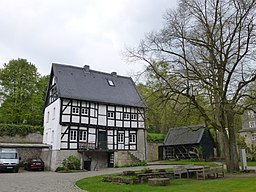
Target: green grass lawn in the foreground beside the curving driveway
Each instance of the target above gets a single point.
(95, 184)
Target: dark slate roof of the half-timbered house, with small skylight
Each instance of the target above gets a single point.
(84, 84)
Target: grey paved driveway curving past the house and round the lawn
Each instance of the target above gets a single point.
(25, 181)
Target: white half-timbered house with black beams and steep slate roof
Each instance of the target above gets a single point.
(96, 116)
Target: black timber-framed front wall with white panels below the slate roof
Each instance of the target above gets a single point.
(72, 120)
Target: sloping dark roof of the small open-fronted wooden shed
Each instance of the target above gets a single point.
(184, 135)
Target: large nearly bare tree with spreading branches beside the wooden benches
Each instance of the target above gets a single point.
(210, 48)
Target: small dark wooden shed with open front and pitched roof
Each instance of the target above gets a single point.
(187, 142)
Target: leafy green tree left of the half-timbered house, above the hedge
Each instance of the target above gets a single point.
(21, 92)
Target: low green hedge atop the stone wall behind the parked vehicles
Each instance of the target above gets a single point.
(22, 130)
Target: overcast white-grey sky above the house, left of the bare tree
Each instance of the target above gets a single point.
(77, 32)
